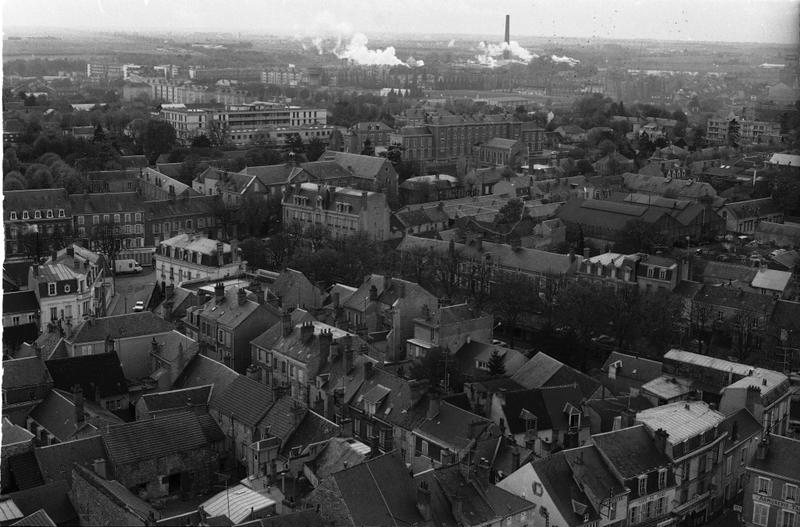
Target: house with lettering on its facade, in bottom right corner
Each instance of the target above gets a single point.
(771, 484)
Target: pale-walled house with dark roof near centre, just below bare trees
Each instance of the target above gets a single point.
(451, 329)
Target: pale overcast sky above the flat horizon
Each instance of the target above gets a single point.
(697, 20)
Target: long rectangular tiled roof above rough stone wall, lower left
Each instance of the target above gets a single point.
(145, 440)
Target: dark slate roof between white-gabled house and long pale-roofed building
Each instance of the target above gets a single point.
(631, 451)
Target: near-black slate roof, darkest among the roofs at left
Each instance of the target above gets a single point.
(100, 373)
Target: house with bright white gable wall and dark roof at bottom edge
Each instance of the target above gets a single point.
(574, 487)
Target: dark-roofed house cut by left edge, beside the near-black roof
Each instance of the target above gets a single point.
(26, 382)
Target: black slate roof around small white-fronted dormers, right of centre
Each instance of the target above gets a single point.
(547, 404)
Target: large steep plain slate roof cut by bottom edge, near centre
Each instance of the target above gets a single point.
(379, 492)
